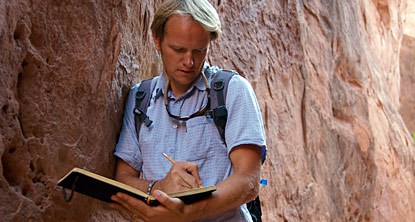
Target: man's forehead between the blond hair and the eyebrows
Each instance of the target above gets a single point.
(184, 30)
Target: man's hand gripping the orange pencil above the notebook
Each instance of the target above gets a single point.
(182, 176)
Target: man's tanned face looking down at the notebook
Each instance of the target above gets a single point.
(183, 51)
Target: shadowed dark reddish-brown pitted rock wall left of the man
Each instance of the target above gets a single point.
(66, 67)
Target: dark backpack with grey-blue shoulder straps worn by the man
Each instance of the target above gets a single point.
(219, 114)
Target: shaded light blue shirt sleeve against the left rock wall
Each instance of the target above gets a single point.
(127, 147)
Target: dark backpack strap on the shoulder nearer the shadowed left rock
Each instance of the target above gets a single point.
(142, 100)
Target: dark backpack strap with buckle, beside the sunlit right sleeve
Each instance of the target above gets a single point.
(218, 91)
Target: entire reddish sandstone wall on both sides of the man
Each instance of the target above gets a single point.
(326, 74)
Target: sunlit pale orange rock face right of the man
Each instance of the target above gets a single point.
(327, 75)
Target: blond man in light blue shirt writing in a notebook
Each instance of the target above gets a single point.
(182, 31)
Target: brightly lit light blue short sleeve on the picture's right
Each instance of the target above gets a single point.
(244, 124)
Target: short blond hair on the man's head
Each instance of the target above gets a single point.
(200, 10)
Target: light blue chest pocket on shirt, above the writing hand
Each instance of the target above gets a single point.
(203, 140)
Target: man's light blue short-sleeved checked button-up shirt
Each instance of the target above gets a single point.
(196, 140)
